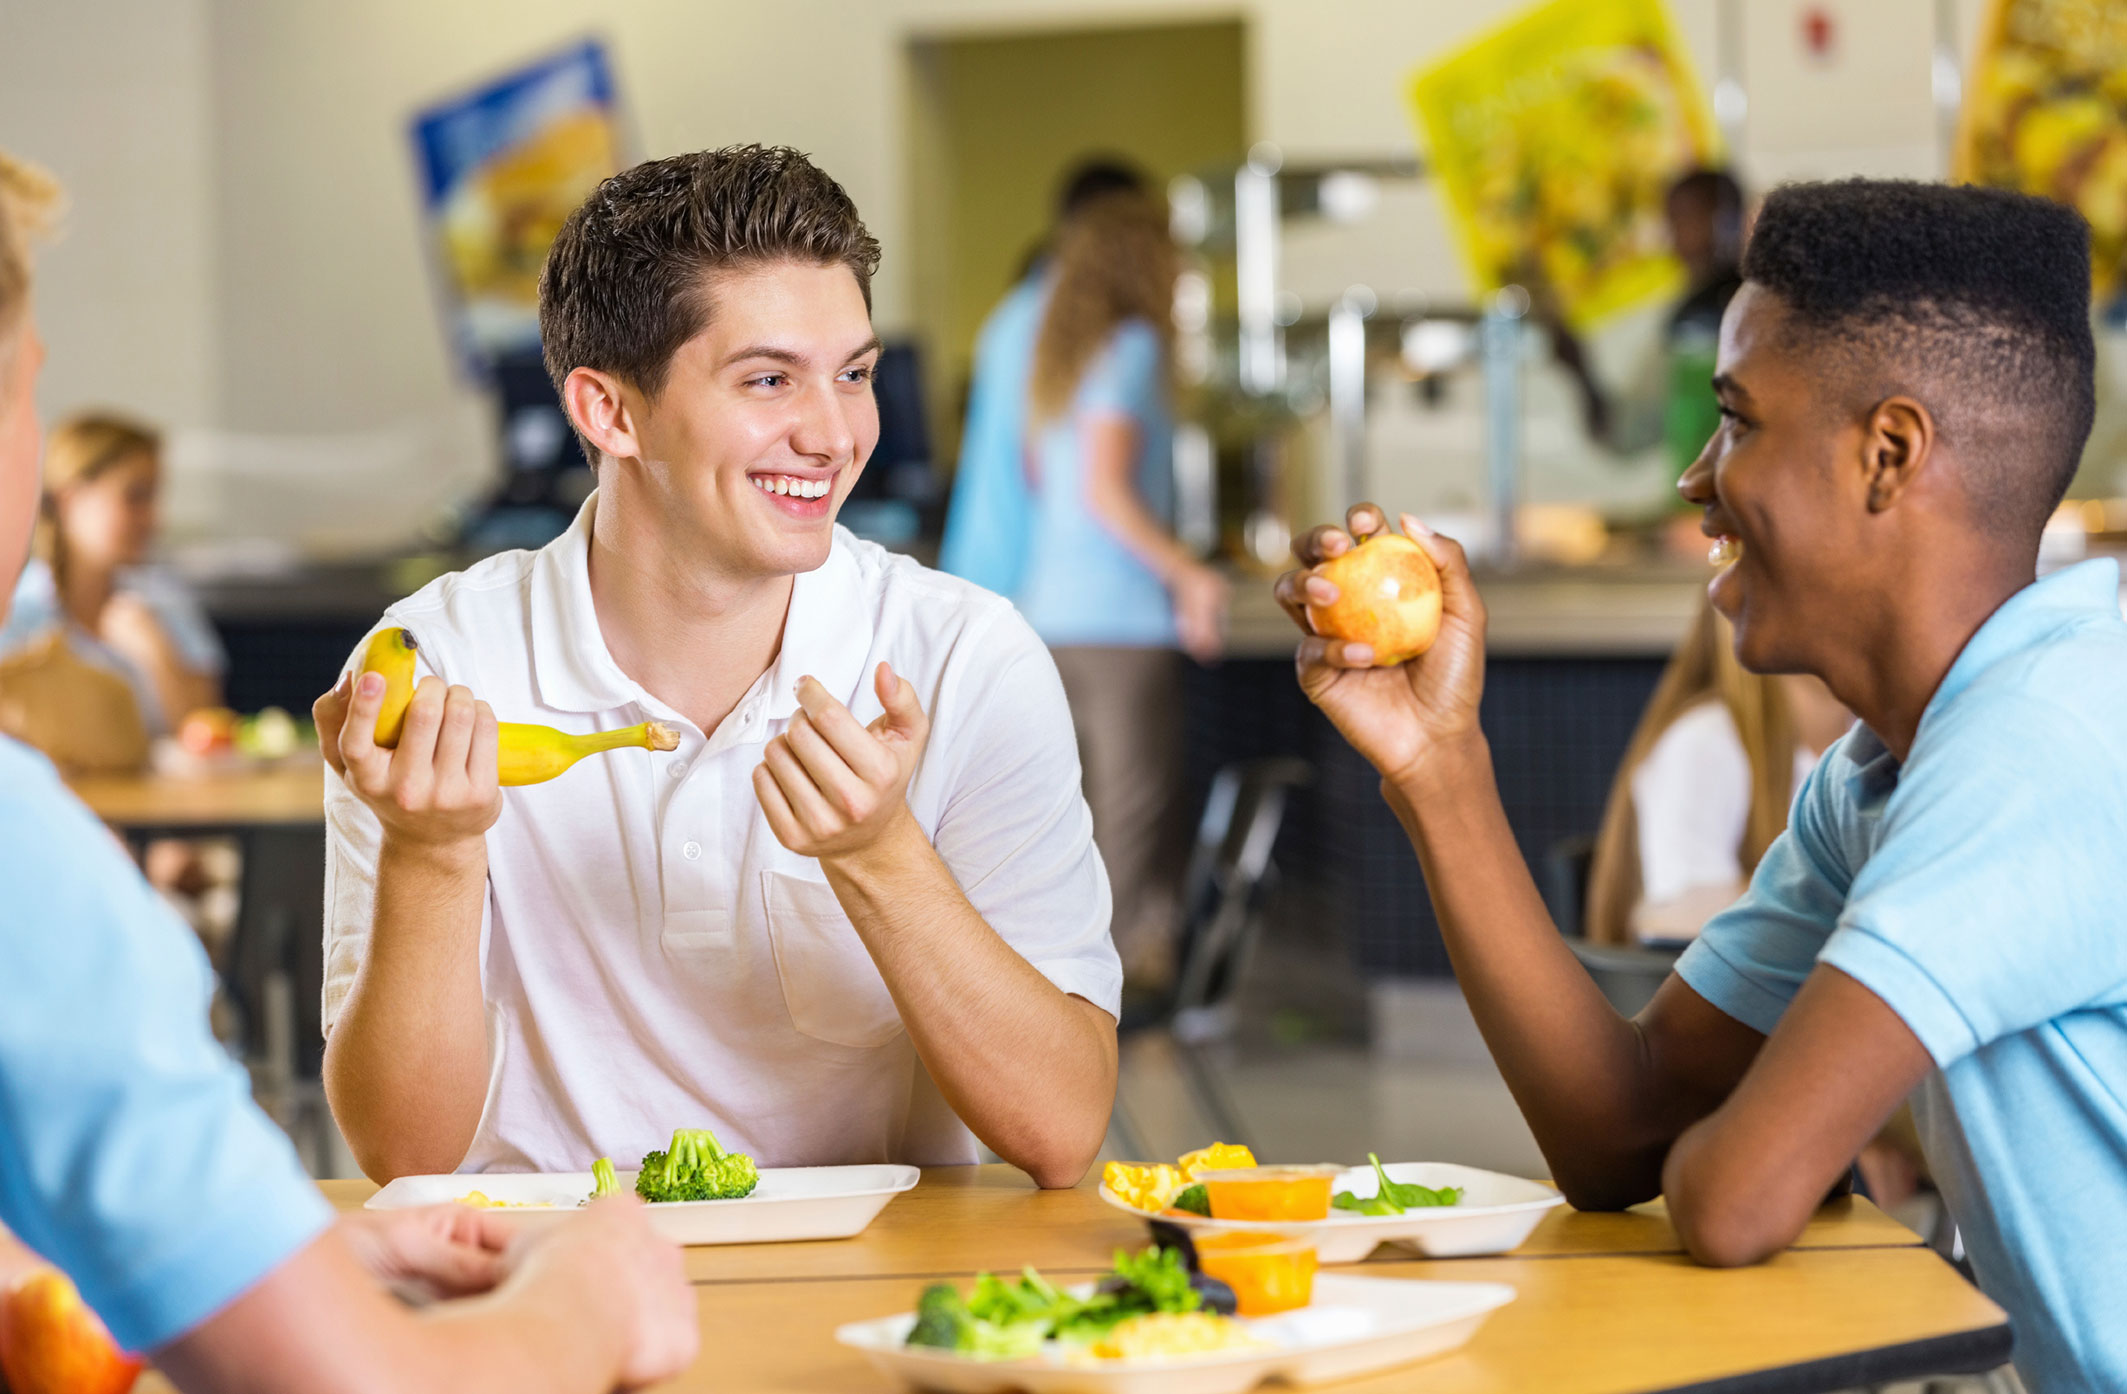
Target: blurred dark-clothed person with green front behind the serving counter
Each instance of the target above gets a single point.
(1671, 397)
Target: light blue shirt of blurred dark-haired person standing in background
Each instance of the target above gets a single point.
(992, 514)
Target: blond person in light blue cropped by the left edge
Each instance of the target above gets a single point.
(133, 1157)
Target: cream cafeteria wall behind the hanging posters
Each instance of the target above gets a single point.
(248, 248)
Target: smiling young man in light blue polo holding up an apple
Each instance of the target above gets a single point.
(1907, 391)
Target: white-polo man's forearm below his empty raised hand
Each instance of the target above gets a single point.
(1028, 1067)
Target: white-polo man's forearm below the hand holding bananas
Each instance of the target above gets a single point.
(407, 1059)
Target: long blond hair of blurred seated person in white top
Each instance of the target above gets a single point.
(1703, 669)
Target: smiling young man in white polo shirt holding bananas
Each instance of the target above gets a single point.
(858, 914)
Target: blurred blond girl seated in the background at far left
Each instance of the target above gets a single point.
(90, 576)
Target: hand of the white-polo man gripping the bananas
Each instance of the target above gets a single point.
(441, 784)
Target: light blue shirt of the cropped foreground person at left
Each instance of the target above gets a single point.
(131, 1152)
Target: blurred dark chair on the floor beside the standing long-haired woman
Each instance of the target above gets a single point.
(1222, 918)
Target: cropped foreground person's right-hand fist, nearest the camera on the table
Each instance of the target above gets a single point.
(620, 1282)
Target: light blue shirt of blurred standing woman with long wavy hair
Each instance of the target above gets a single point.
(1084, 586)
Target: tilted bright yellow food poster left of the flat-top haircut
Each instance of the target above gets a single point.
(1556, 142)
